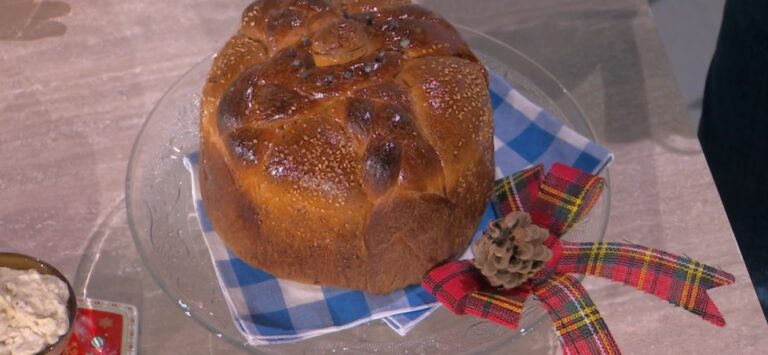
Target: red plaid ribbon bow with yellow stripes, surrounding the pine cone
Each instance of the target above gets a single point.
(556, 202)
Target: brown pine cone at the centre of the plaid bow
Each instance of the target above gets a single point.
(511, 250)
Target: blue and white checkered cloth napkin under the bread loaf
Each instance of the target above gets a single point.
(270, 310)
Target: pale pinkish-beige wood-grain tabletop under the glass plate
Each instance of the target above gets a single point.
(80, 77)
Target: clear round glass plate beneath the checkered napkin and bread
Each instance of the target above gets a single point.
(165, 230)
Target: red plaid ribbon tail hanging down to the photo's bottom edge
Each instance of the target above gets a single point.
(576, 319)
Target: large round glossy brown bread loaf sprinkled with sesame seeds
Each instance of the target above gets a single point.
(345, 143)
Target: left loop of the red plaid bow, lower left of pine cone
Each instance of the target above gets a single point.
(462, 289)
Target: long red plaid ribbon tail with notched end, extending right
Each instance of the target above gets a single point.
(680, 280)
